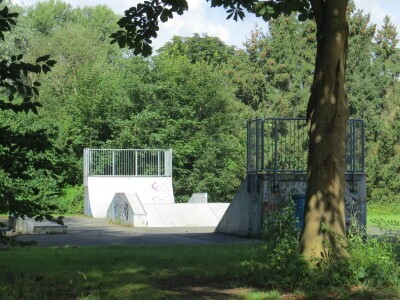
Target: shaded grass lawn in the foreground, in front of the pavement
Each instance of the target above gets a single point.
(161, 272)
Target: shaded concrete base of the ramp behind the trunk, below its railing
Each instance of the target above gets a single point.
(260, 194)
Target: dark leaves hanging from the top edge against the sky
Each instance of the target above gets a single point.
(140, 23)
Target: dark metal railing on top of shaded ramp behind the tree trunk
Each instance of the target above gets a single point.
(280, 145)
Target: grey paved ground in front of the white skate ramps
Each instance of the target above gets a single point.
(85, 231)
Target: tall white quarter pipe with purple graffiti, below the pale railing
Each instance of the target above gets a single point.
(101, 190)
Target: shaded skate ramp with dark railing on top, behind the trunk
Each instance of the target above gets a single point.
(277, 150)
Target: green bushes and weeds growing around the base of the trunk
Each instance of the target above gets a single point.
(371, 264)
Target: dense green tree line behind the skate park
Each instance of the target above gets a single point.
(193, 96)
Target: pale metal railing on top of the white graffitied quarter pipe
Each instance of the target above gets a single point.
(127, 162)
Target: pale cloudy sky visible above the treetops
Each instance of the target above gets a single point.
(202, 19)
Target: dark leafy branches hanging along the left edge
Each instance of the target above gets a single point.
(21, 150)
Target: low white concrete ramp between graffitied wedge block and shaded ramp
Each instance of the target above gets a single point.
(184, 214)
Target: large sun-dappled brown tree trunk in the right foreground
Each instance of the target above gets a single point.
(327, 117)
